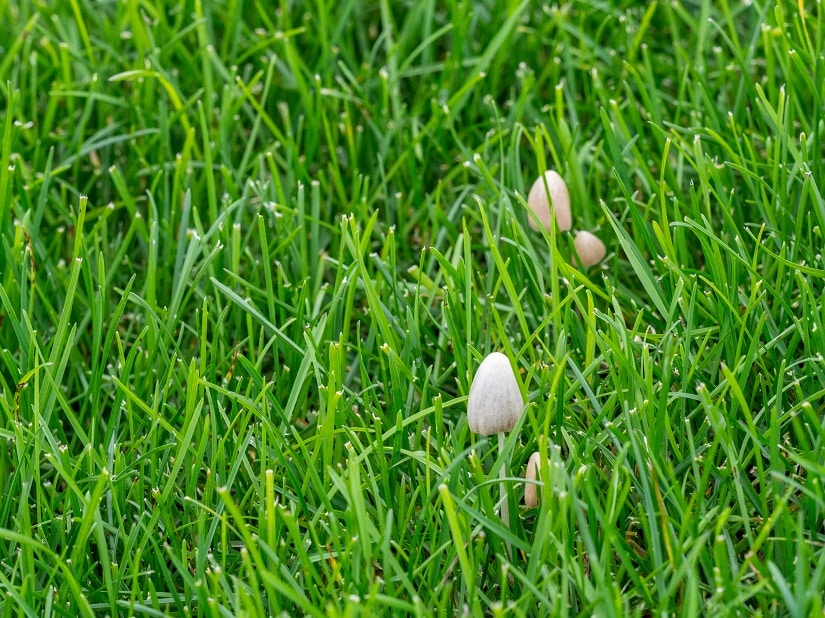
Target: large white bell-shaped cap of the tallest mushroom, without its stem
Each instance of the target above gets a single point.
(495, 402)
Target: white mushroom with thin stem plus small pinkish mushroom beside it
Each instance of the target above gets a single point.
(494, 407)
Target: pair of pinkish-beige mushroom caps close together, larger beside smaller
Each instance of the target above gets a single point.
(549, 188)
